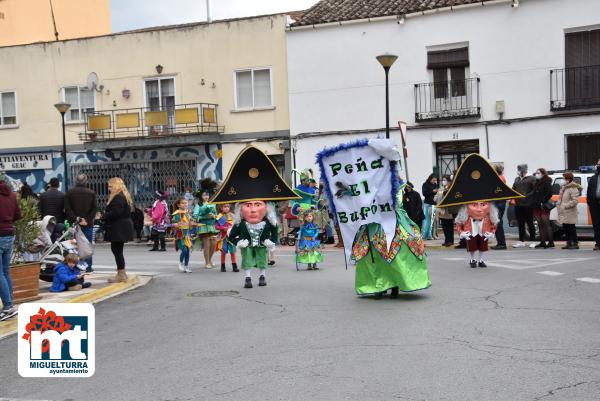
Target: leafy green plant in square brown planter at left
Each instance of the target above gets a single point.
(25, 275)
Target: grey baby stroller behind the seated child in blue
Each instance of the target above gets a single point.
(71, 241)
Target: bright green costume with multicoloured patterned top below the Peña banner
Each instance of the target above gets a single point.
(403, 266)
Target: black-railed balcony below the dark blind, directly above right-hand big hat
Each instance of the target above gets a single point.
(447, 100)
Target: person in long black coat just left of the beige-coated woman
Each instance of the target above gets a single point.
(542, 192)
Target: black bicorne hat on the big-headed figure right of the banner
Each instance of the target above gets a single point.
(477, 181)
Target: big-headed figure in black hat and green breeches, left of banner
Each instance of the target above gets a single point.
(253, 181)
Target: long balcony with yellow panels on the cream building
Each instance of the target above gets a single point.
(159, 123)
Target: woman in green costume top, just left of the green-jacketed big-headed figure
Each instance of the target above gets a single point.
(204, 214)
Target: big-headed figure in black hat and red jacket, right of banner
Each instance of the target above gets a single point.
(476, 184)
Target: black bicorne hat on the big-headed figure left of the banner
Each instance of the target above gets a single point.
(253, 176)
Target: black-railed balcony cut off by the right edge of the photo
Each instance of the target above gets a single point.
(575, 88)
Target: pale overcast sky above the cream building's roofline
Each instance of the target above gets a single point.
(133, 14)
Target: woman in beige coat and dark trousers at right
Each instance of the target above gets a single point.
(568, 199)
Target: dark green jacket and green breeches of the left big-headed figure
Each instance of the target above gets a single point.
(256, 256)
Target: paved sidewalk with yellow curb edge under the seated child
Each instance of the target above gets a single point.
(99, 291)
